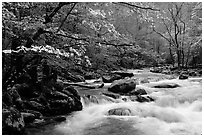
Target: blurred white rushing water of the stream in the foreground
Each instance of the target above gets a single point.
(175, 111)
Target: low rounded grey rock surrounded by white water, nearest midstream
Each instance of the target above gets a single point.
(120, 112)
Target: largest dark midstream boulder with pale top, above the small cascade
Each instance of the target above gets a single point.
(122, 86)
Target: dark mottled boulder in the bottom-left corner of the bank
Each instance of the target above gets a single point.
(12, 122)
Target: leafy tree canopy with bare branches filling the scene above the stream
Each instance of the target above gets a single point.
(107, 34)
